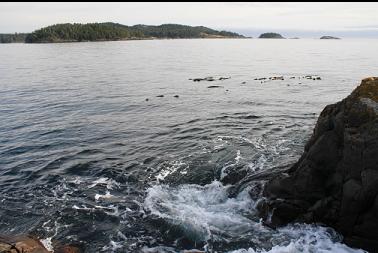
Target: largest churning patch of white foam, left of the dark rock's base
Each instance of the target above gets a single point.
(202, 211)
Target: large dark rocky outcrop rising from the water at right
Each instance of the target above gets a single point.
(335, 181)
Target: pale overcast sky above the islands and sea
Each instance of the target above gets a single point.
(292, 19)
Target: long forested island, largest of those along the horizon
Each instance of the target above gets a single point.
(114, 31)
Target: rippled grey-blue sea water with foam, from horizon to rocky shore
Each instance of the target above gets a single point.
(86, 159)
